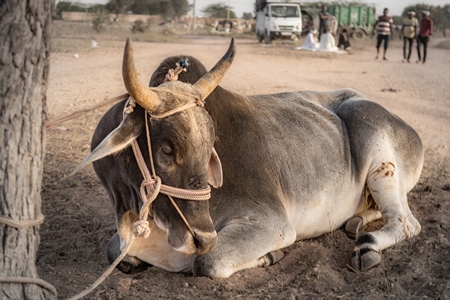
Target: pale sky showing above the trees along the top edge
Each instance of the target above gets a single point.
(240, 6)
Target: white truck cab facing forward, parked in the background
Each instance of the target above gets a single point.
(280, 19)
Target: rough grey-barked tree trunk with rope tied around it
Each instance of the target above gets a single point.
(24, 65)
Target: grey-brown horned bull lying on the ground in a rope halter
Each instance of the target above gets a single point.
(283, 167)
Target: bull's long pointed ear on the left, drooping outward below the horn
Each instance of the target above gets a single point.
(120, 138)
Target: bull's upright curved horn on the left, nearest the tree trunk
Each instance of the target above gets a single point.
(143, 96)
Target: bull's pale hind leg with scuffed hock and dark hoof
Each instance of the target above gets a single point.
(389, 193)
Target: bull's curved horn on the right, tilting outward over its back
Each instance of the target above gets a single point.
(210, 80)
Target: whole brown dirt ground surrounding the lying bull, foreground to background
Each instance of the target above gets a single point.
(79, 221)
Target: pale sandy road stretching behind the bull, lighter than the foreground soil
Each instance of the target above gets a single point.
(418, 93)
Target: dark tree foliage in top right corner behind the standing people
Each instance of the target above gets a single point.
(439, 14)
